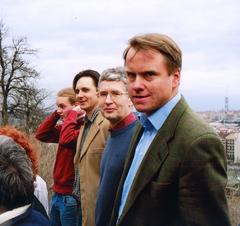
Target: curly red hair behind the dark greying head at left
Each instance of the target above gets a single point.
(24, 141)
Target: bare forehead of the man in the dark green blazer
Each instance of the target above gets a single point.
(144, 59)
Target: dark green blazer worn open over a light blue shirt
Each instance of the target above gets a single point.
(182, 178)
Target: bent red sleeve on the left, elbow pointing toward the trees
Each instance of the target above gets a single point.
(48, 131)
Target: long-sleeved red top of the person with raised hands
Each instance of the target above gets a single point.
(65, 135)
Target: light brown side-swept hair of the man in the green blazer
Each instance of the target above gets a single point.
(161, 43)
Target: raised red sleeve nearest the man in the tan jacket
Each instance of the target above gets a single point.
(70, 129)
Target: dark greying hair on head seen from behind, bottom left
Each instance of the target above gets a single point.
(16, 176)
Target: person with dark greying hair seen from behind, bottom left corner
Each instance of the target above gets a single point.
(16, 187)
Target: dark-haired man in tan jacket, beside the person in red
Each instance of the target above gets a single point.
(90, 145)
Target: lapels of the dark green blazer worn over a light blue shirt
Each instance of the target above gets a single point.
(154, 158)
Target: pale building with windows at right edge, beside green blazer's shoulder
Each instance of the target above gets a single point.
(232, 147)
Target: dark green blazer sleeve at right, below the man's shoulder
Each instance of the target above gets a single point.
(202, 182)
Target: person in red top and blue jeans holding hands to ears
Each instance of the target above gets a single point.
(62, 127)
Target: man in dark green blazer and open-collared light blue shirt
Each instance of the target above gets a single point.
(175, 172)
